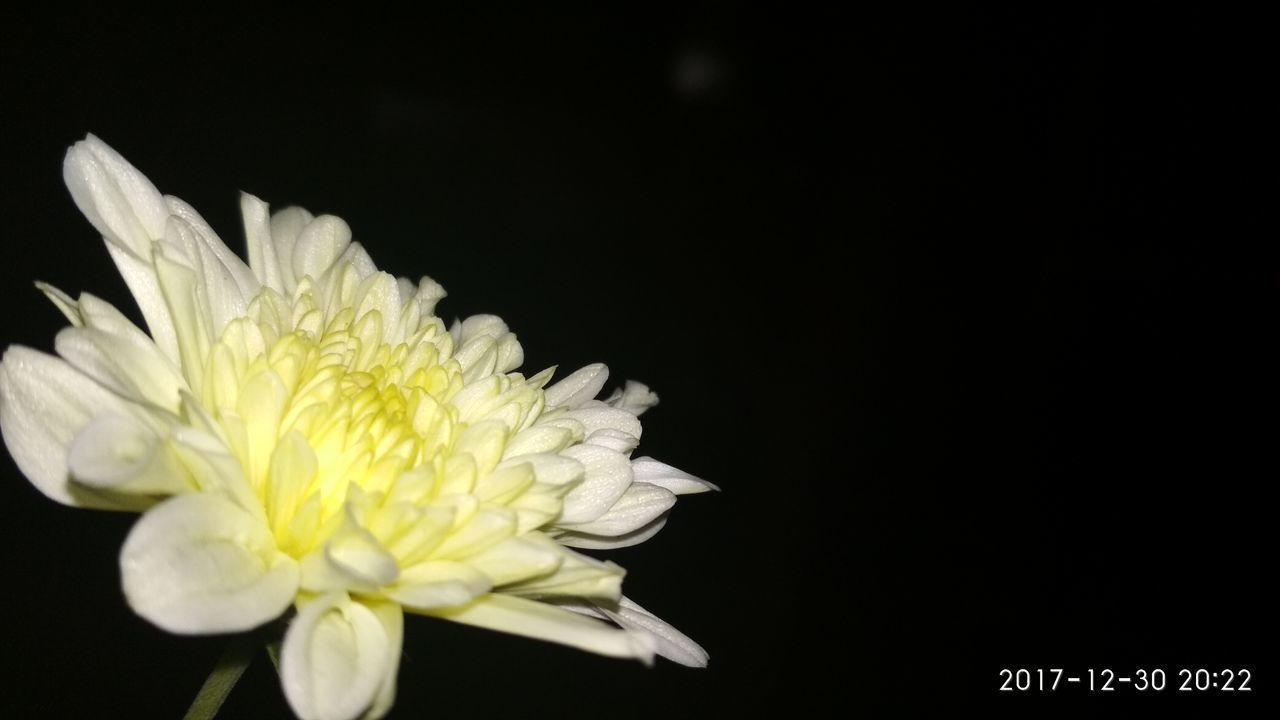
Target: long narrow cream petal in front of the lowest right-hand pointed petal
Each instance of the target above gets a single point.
(538, 621)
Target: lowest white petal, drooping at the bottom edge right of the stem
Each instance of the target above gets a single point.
(336, 659)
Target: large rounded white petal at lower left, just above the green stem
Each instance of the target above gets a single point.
(200, 564)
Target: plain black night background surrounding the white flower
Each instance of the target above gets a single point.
(971, 315)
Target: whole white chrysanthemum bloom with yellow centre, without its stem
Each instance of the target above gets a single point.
(304, 431)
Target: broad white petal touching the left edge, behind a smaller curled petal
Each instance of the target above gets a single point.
(44, 404)
